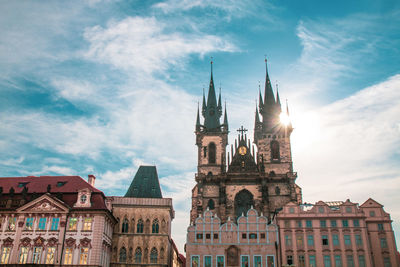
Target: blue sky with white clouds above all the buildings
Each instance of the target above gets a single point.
(104, 86)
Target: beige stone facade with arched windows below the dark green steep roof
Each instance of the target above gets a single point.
(142, 236)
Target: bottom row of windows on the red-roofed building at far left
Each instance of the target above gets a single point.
(50, 253)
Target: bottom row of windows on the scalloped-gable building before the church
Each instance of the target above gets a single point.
(244, 261)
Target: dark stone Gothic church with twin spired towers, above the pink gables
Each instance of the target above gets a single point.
(230, 183)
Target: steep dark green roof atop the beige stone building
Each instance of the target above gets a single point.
(145, 184)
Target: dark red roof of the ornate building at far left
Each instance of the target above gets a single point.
(64, 188)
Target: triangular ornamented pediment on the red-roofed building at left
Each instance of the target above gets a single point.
(45, 203)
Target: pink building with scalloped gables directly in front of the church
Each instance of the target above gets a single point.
(250, 242)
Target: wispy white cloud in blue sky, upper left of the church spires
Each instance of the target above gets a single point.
(146, 45)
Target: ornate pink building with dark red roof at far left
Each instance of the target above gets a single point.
(54, 220)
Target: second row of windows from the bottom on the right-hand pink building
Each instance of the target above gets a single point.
(325, 240)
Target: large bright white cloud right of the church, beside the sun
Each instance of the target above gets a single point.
(349, 149)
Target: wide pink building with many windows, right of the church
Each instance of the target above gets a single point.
(336, 234)
